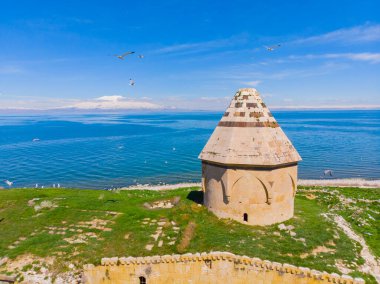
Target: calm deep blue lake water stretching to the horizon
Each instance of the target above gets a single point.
(114, 150)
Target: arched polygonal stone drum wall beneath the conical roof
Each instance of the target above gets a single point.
(265, 195)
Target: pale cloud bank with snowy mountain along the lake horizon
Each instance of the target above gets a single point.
(173, 103)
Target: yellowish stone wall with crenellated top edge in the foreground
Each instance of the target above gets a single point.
(214, 267)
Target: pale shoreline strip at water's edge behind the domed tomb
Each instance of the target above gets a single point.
(349, 182)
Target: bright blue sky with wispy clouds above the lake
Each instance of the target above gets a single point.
(197, 53)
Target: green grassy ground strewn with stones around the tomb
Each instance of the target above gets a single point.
(58, 229)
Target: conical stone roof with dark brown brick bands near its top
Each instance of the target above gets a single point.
(248, 134)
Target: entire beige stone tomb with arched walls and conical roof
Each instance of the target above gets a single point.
(249, 166)
